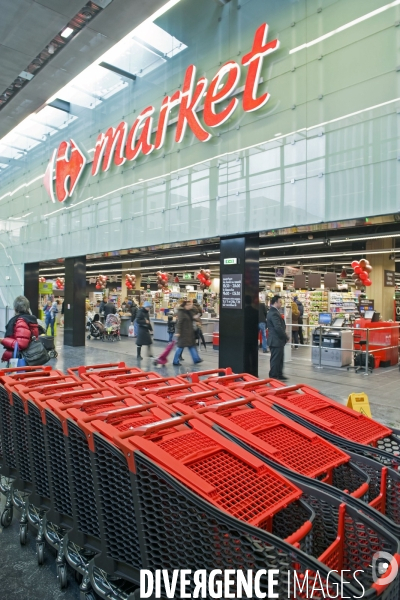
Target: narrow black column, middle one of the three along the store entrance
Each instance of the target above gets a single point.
(74, 301)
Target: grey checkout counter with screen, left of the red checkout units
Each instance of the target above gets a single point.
(336, 343)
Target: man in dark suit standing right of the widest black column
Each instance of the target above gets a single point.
(277, 338)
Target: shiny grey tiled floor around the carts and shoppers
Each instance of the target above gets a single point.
(20, 578)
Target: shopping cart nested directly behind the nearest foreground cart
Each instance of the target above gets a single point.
(121, 549)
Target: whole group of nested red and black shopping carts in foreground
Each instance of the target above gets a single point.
(118, 470)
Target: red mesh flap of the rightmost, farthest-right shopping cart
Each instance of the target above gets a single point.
(328, 414)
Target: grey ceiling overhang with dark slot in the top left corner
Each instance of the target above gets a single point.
(28, 27)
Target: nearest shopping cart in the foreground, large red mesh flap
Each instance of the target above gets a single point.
(197, 495)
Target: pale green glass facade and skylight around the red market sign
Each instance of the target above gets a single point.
(229, 120)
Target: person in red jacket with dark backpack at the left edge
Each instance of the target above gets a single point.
(19, 329)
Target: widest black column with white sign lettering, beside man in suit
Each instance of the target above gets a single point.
(238, 318)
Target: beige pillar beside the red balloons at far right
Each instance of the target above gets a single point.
(382, 295)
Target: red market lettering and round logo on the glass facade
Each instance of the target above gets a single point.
(119, 144)
